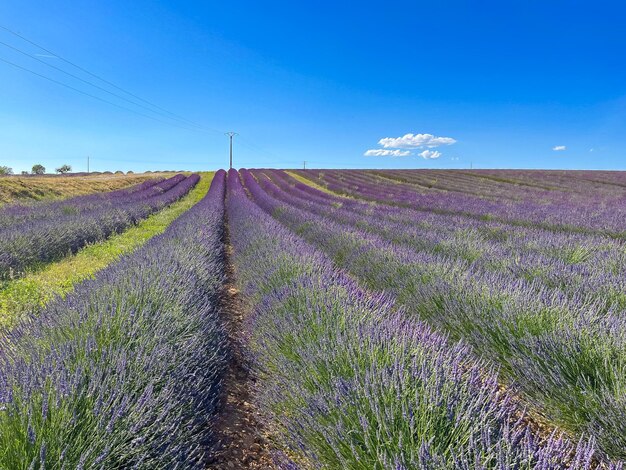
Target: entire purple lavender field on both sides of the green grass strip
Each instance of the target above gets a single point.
(361, 319)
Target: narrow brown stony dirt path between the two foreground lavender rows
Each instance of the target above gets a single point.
(239, 436)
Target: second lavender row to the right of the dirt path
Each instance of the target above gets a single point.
(563, 352)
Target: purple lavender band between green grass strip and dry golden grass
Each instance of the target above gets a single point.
(40, 235)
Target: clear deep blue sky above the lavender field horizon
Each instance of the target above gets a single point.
(319, 81)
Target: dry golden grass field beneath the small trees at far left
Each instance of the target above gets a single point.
(34, 188)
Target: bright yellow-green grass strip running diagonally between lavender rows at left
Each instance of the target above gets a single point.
(31, 292)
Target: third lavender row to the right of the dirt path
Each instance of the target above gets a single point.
(576, 264)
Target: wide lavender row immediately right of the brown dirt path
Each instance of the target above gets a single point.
(351, 381)
